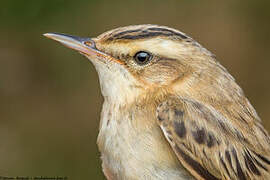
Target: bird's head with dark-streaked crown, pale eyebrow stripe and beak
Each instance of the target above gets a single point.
(140, 60)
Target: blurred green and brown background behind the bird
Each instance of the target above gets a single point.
(49, 95)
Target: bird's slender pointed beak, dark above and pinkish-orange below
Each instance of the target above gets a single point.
(85, 46)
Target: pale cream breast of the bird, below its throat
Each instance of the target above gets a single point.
(133, 147)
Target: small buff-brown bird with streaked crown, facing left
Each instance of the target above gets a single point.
(170, 110)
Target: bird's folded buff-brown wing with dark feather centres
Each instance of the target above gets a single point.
(209, 146)
